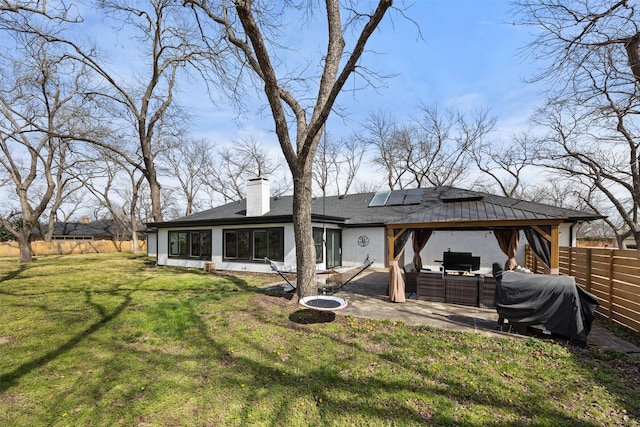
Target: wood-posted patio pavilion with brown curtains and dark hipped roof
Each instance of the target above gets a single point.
(467, 212)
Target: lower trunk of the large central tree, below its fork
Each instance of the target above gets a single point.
(305, 249)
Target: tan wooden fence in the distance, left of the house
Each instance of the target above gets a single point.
(66, 247)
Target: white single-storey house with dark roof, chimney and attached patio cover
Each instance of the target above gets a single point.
(349, 229)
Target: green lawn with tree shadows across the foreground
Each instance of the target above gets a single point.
(108, 340)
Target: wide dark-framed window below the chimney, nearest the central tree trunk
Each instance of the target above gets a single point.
(254, 245)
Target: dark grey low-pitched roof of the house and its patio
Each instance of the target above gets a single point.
(437, 204)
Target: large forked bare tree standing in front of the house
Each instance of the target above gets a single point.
(248, 25)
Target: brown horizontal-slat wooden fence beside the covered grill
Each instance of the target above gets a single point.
(613, 275)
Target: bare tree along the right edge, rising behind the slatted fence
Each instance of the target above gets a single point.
(591, 52)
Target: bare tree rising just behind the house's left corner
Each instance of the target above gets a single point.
(169, 45)
